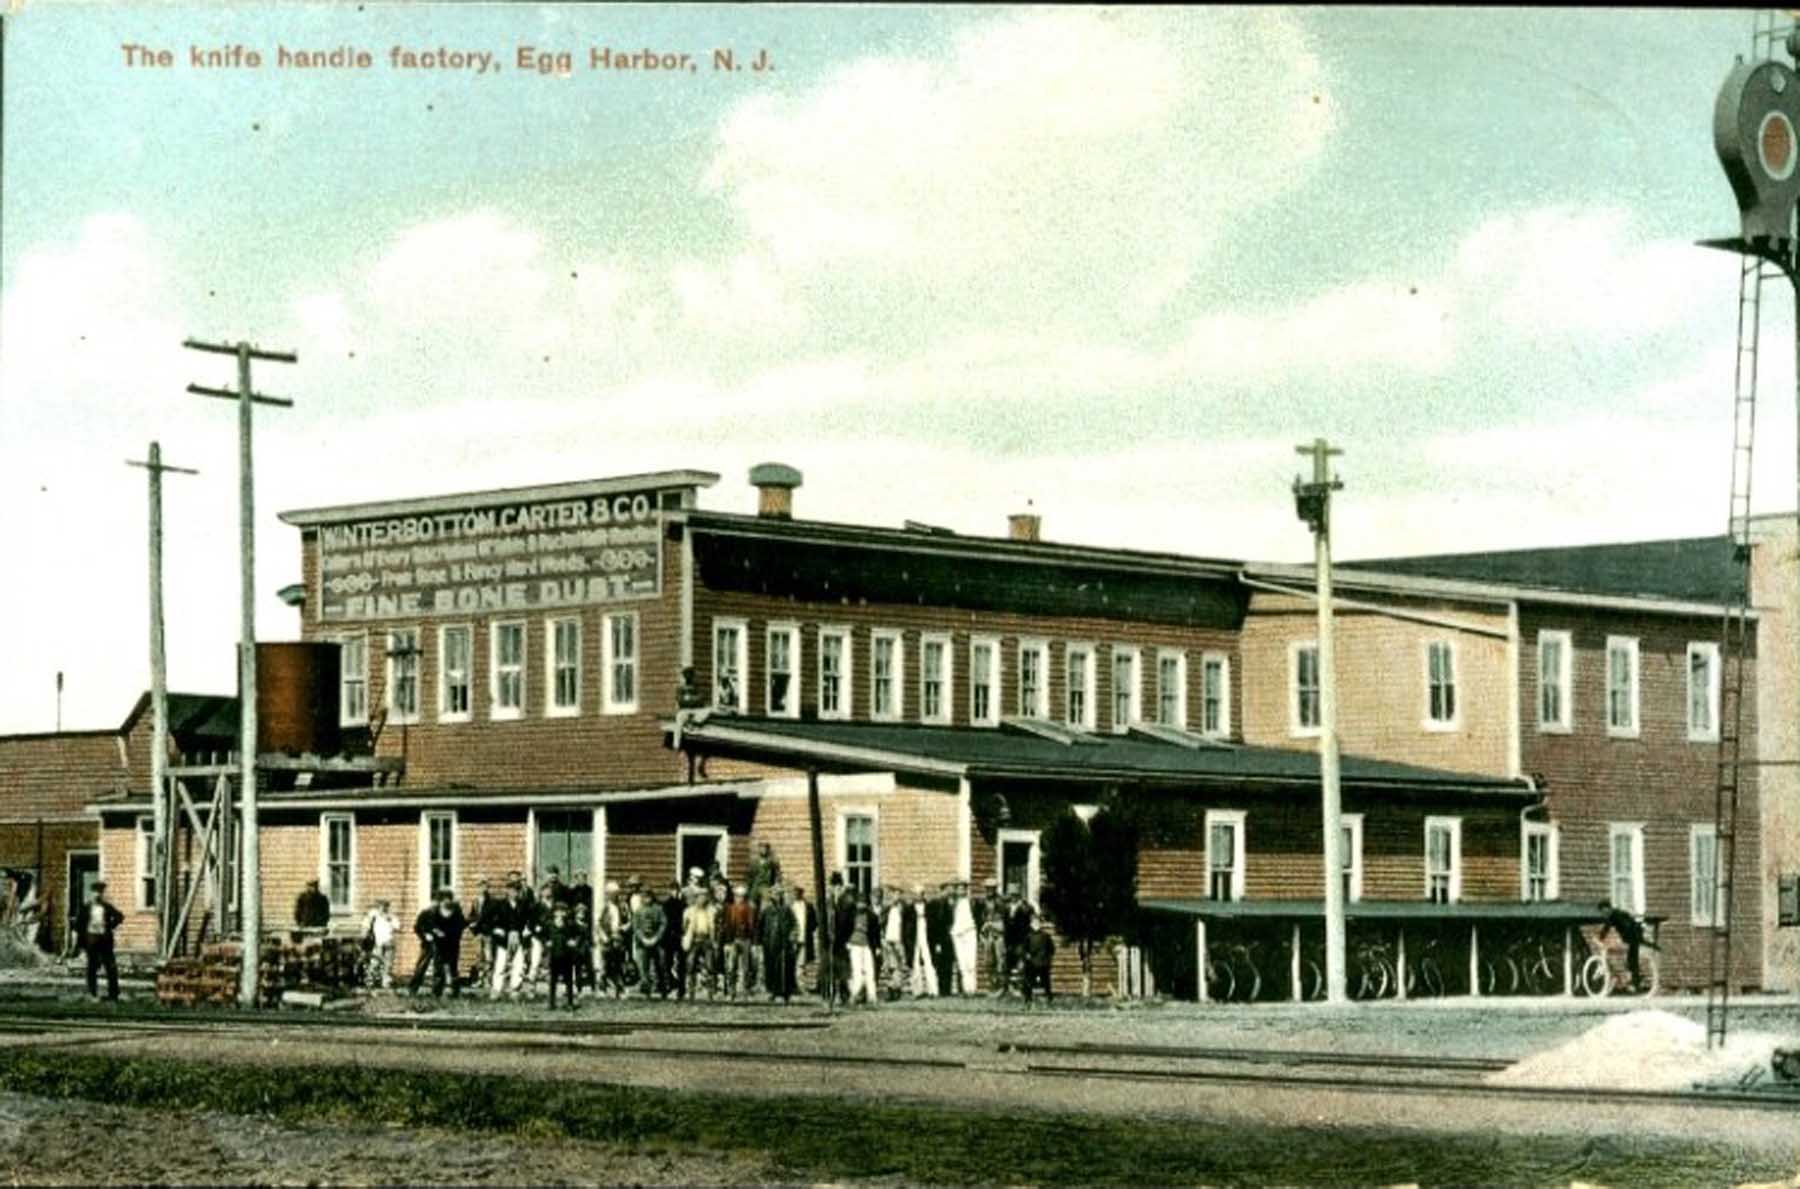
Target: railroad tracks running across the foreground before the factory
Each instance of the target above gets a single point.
(1225, 1068)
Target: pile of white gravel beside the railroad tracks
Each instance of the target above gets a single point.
(1644, 1051)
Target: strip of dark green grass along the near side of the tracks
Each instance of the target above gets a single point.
(831, 1140)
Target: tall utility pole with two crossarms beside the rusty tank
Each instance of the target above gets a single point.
(251, 893)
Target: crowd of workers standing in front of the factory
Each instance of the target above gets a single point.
(755, 938)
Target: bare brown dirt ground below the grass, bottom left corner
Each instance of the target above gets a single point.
(67, 1143)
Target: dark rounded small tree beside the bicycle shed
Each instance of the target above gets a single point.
(1090, 873)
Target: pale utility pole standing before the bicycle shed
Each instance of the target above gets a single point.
(1315, 506)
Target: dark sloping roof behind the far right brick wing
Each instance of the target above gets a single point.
(1693, 569)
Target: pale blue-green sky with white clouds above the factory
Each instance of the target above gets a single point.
(948, 262)
